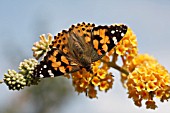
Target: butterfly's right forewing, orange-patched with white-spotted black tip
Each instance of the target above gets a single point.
(105, 38)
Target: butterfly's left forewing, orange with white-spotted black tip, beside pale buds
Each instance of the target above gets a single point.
(55, 63)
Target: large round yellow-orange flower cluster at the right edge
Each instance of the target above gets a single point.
(147, 79)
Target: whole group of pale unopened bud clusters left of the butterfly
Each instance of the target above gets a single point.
(17, 80)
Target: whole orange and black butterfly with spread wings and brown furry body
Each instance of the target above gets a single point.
(78, 47)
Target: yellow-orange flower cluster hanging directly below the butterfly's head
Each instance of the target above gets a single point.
(83, 81)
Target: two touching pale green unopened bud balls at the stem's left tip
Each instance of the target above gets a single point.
(17, 81)
